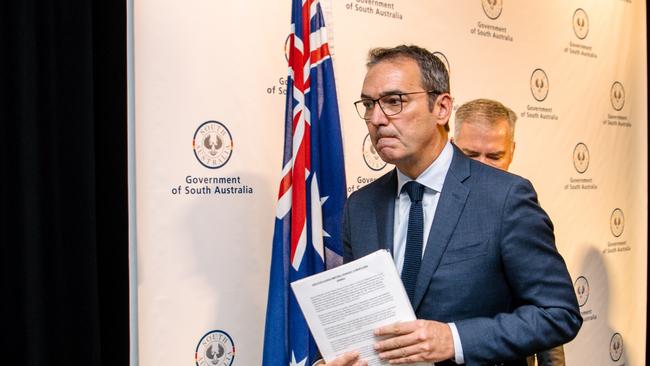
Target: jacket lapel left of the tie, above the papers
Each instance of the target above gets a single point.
(385, 212)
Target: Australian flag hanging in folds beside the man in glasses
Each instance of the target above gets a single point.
(307, 237)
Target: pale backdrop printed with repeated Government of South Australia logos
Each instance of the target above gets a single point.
(210, 87)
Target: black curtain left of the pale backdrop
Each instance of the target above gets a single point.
(63, 190)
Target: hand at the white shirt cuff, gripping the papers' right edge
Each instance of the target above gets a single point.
(415, 341)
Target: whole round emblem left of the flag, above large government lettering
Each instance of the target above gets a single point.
(212, 144)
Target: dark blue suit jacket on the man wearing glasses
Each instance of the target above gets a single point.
(490, 263)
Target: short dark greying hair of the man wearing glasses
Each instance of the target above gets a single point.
(434, 75)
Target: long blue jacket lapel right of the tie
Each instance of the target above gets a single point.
(450, 207)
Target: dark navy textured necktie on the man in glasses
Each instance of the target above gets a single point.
(414, 238)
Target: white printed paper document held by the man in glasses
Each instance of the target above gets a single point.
(345, 304)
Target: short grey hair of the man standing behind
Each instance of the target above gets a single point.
(485, 111)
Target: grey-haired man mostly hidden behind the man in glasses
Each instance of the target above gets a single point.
(485, 131)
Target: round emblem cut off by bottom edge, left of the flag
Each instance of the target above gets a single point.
(215, 348)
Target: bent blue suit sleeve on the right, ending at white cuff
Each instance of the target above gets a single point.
(546, 312)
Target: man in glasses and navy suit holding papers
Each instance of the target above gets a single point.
(475, 251)
